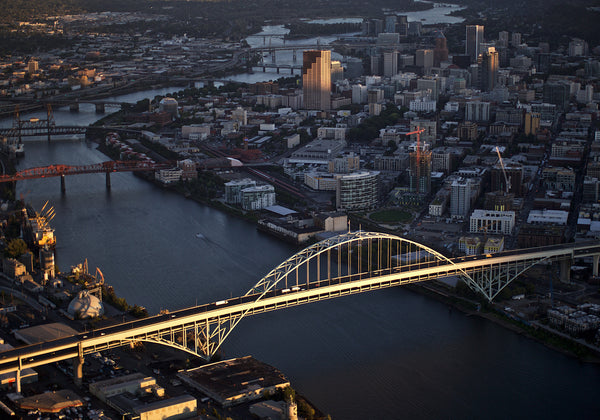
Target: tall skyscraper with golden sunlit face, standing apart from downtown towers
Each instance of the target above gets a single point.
(316, 79)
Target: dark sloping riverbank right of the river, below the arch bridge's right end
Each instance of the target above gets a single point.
(565, 345)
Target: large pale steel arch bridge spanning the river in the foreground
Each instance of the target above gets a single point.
(347, 264)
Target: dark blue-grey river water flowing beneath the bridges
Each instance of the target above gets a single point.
(382, 355)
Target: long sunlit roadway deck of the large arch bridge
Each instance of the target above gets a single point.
(173, 323)
